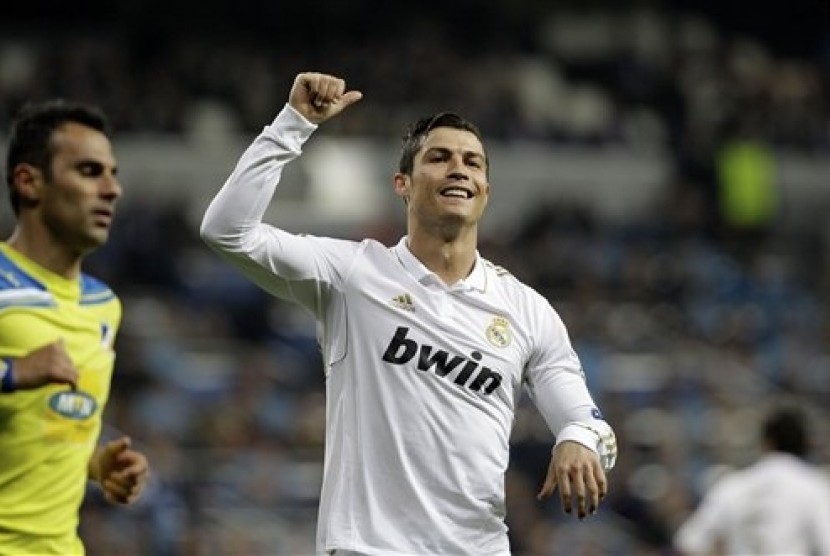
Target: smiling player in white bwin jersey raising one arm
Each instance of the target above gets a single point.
(426, 345)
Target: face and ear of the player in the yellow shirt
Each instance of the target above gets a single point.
(74, 201)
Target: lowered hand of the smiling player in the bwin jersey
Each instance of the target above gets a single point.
(577, 472)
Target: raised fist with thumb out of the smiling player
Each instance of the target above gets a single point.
(318, 96)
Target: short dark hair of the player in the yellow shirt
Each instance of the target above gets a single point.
(31, 133)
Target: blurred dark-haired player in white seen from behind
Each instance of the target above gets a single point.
(778, 505)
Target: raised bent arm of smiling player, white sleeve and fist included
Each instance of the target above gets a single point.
(232, 224)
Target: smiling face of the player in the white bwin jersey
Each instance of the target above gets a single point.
(448, 187)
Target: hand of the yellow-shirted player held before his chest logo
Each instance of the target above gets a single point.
(48, 364)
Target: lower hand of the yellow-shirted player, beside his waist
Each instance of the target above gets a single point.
(121, 471)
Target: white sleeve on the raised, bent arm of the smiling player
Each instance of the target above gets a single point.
(294, 267)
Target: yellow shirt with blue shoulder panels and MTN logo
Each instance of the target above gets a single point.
(47, 435)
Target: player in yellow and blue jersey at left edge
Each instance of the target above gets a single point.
(57, 327)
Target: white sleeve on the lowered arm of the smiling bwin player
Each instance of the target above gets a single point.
(557, 386)
